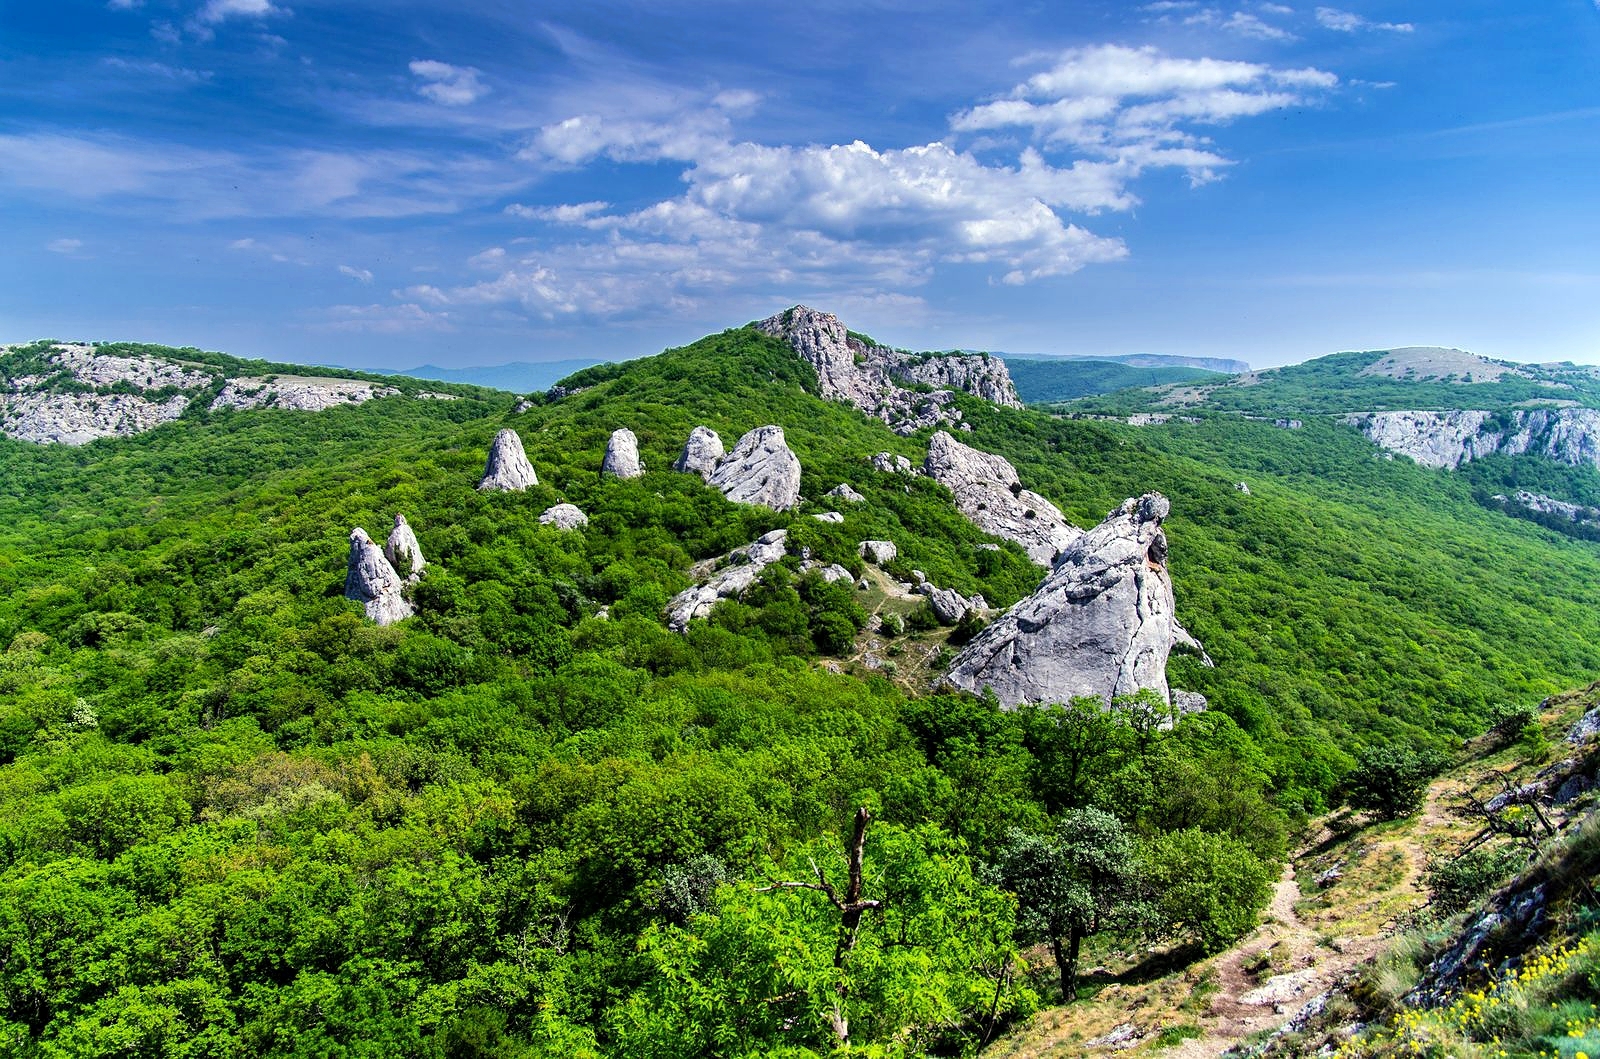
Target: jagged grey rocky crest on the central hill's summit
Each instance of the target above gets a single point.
(871, 377)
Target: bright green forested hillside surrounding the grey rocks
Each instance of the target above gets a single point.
(239, 820)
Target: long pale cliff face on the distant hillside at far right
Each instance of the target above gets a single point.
(1449, 439)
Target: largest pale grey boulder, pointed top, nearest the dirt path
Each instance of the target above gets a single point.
(1102, 625)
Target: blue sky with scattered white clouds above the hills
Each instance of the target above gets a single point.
(404, 182)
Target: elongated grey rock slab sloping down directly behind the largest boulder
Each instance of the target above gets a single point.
(990, 494)
